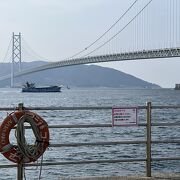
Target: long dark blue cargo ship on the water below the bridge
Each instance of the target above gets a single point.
(30, 87)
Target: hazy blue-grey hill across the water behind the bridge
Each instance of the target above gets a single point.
(77, 76)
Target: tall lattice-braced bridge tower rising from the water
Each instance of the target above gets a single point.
(16, 54)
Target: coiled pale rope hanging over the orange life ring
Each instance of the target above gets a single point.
(28, 151)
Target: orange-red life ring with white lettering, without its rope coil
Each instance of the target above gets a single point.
(12, 152)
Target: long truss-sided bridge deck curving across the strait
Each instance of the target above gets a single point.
(136, 55)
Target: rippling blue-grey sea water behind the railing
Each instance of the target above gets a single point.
(98, 97)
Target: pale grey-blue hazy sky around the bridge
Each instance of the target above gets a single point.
(57, 29)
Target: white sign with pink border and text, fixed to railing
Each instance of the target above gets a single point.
(124, 116)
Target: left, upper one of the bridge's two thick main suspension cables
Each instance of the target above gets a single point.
(104, 32)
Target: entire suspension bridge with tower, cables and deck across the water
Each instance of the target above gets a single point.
(146, 30)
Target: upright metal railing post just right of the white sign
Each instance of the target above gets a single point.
(148, 143)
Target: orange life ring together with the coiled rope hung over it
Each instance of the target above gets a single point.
(23, 152)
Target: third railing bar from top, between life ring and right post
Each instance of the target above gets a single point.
(96, 143)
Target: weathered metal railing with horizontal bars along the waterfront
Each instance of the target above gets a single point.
(148, 140)
